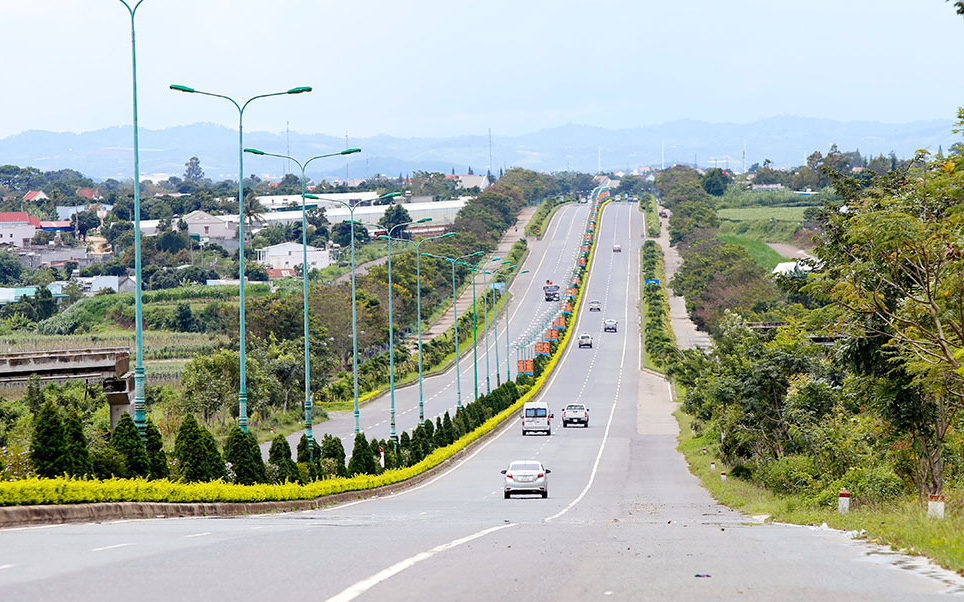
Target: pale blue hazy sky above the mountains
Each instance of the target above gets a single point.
(434, 68)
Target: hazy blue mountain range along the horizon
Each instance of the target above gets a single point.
(785, 140)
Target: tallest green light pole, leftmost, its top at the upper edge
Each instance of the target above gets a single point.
(140, 420)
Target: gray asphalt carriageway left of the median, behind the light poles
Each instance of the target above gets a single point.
(551, 258)
